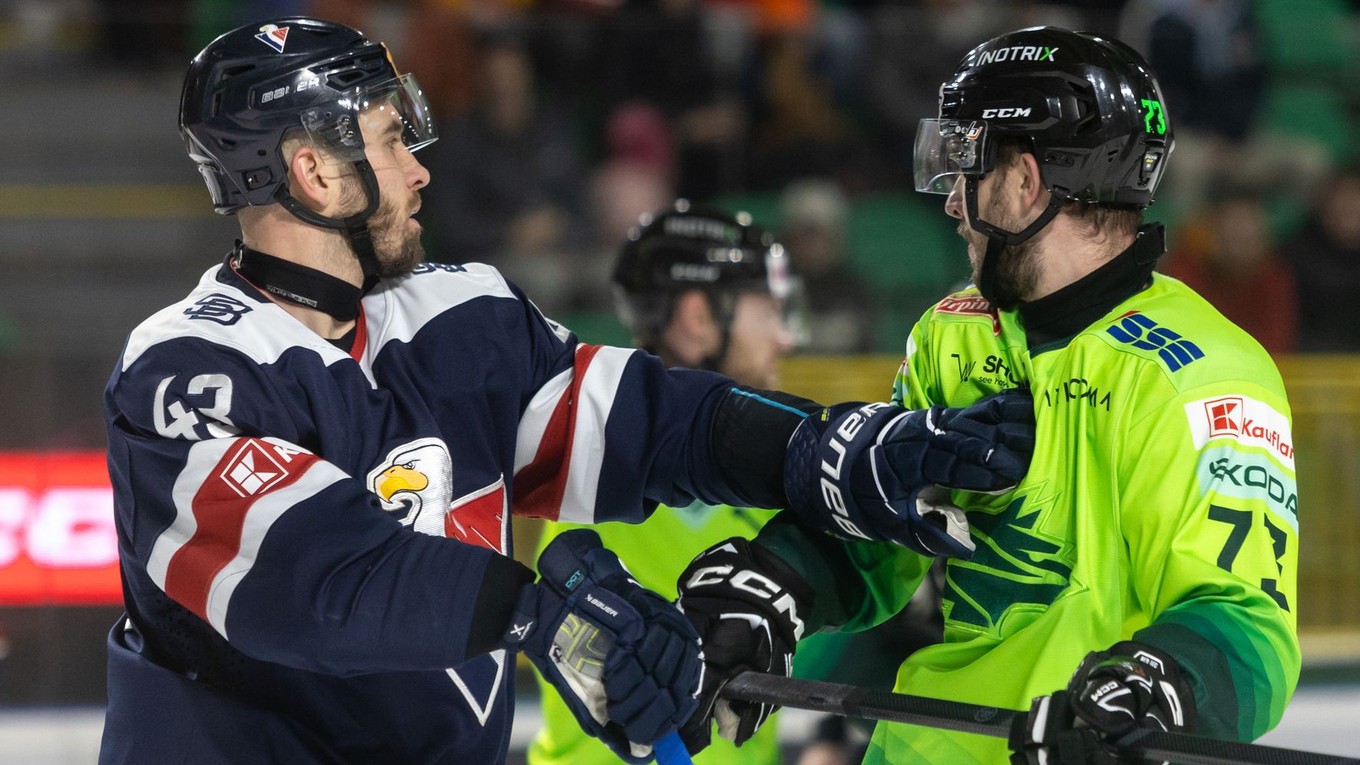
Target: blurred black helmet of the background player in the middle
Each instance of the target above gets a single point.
(697, 248)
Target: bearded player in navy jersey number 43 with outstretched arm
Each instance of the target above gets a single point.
(316, 453)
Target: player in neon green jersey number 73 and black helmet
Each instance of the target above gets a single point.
(1143, 574)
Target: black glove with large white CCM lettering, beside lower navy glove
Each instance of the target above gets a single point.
(749, 608)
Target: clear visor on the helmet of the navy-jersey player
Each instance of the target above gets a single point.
(390, 114)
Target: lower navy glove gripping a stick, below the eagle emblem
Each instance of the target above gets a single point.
(625, 660)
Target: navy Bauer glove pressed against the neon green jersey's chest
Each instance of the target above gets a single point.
(859, 470)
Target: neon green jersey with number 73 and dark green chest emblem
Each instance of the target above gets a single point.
(1161, 507)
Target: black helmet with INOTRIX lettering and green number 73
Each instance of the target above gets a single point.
(1089, 108)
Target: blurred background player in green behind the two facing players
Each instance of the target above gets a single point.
(728, 315)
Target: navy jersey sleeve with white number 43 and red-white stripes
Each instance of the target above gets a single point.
(284, 555)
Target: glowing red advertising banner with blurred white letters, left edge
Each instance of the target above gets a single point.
(58, 541)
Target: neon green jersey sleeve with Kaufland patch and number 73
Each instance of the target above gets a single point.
(1211, 522)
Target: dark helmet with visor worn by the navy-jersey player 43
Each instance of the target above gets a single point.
(256, 85)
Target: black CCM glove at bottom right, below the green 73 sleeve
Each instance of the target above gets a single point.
(1112, 695)
